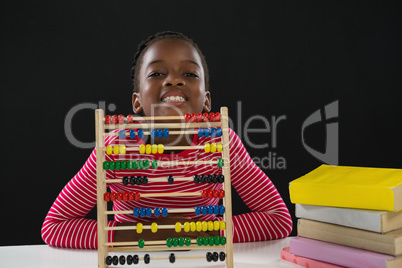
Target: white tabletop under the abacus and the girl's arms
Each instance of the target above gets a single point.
(246, 255)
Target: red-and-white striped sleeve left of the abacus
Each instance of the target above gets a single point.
(65, 224)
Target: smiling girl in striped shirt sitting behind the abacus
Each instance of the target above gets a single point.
(170, 77)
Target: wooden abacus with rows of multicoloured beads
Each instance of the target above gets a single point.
(212, 124)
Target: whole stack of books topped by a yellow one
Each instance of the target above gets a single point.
(347, 217)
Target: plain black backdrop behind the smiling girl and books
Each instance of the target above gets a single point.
(285, 58)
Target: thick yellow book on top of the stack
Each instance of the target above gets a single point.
(350, 187)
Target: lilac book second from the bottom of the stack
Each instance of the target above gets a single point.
(342, 255)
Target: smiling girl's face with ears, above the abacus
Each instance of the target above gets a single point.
(171, 80)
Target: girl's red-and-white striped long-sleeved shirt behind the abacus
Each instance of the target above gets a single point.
(65, 225)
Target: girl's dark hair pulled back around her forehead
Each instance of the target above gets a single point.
(144, 45)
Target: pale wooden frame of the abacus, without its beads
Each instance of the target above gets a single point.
(102, 213)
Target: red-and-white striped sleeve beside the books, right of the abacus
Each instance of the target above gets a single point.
(270, 218)
